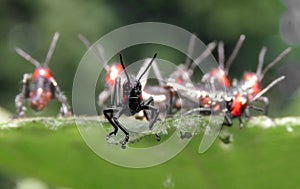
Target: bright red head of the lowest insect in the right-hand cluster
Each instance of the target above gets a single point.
(240, 101)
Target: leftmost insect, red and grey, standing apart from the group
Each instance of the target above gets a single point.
(40, 87)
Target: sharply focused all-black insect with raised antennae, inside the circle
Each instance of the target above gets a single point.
(130, 103)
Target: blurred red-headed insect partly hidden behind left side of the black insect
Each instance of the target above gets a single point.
(112, 71)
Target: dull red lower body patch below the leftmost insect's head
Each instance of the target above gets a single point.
(39, 98)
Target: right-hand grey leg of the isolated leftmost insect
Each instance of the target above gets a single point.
(65, 109)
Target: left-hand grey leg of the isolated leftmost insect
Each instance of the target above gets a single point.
(20, 98)
